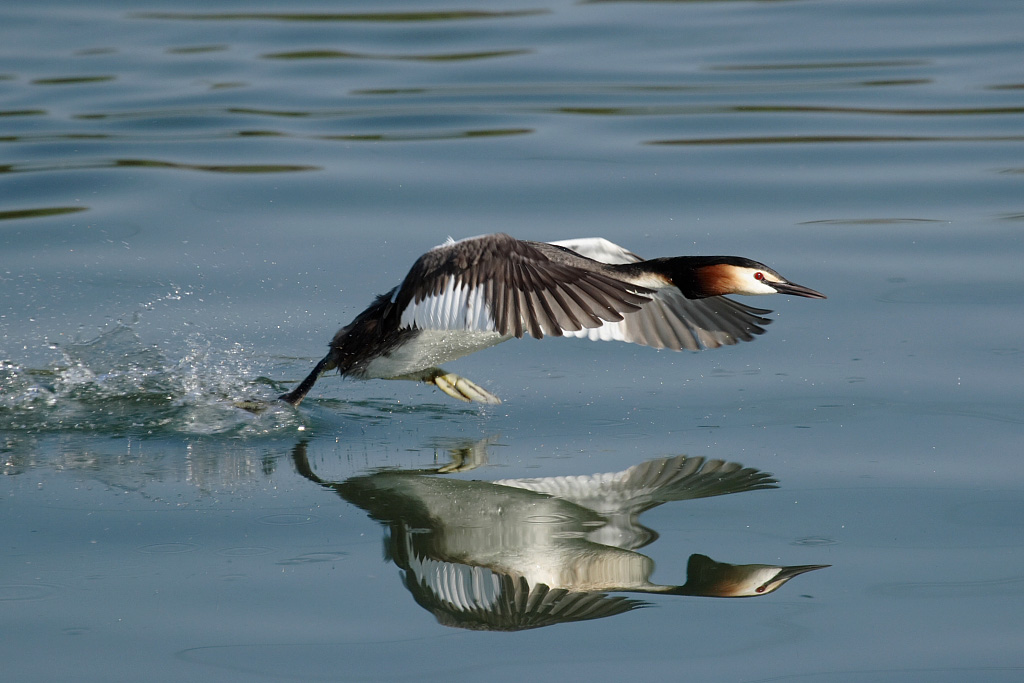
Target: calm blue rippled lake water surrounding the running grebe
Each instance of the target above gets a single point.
(195, 197)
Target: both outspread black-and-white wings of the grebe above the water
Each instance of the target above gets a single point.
(499, 284)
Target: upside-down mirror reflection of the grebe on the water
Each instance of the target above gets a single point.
(518, 554)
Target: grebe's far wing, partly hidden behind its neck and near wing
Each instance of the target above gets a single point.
(670, 320)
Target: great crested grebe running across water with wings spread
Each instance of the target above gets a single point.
(467, 295)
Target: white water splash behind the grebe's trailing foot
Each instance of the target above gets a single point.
(117, 385)
